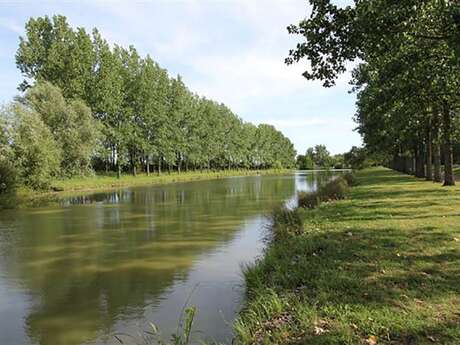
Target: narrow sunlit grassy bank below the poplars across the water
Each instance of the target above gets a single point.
(78, 185)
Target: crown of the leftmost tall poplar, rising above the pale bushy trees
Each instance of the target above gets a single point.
(52, 51)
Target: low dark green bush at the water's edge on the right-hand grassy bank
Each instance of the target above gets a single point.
(336, 189)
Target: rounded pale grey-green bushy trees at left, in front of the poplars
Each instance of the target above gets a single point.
(44, 137)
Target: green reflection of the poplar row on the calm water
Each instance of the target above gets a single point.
(87, 265)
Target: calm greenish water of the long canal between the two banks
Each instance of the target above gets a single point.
(106, 263)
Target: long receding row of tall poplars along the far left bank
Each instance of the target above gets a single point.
(144, 118)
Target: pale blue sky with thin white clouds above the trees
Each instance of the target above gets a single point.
(232, 51)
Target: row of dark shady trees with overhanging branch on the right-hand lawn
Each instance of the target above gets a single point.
(406, 76)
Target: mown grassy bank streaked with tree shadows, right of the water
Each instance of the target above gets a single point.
(380, 268)
